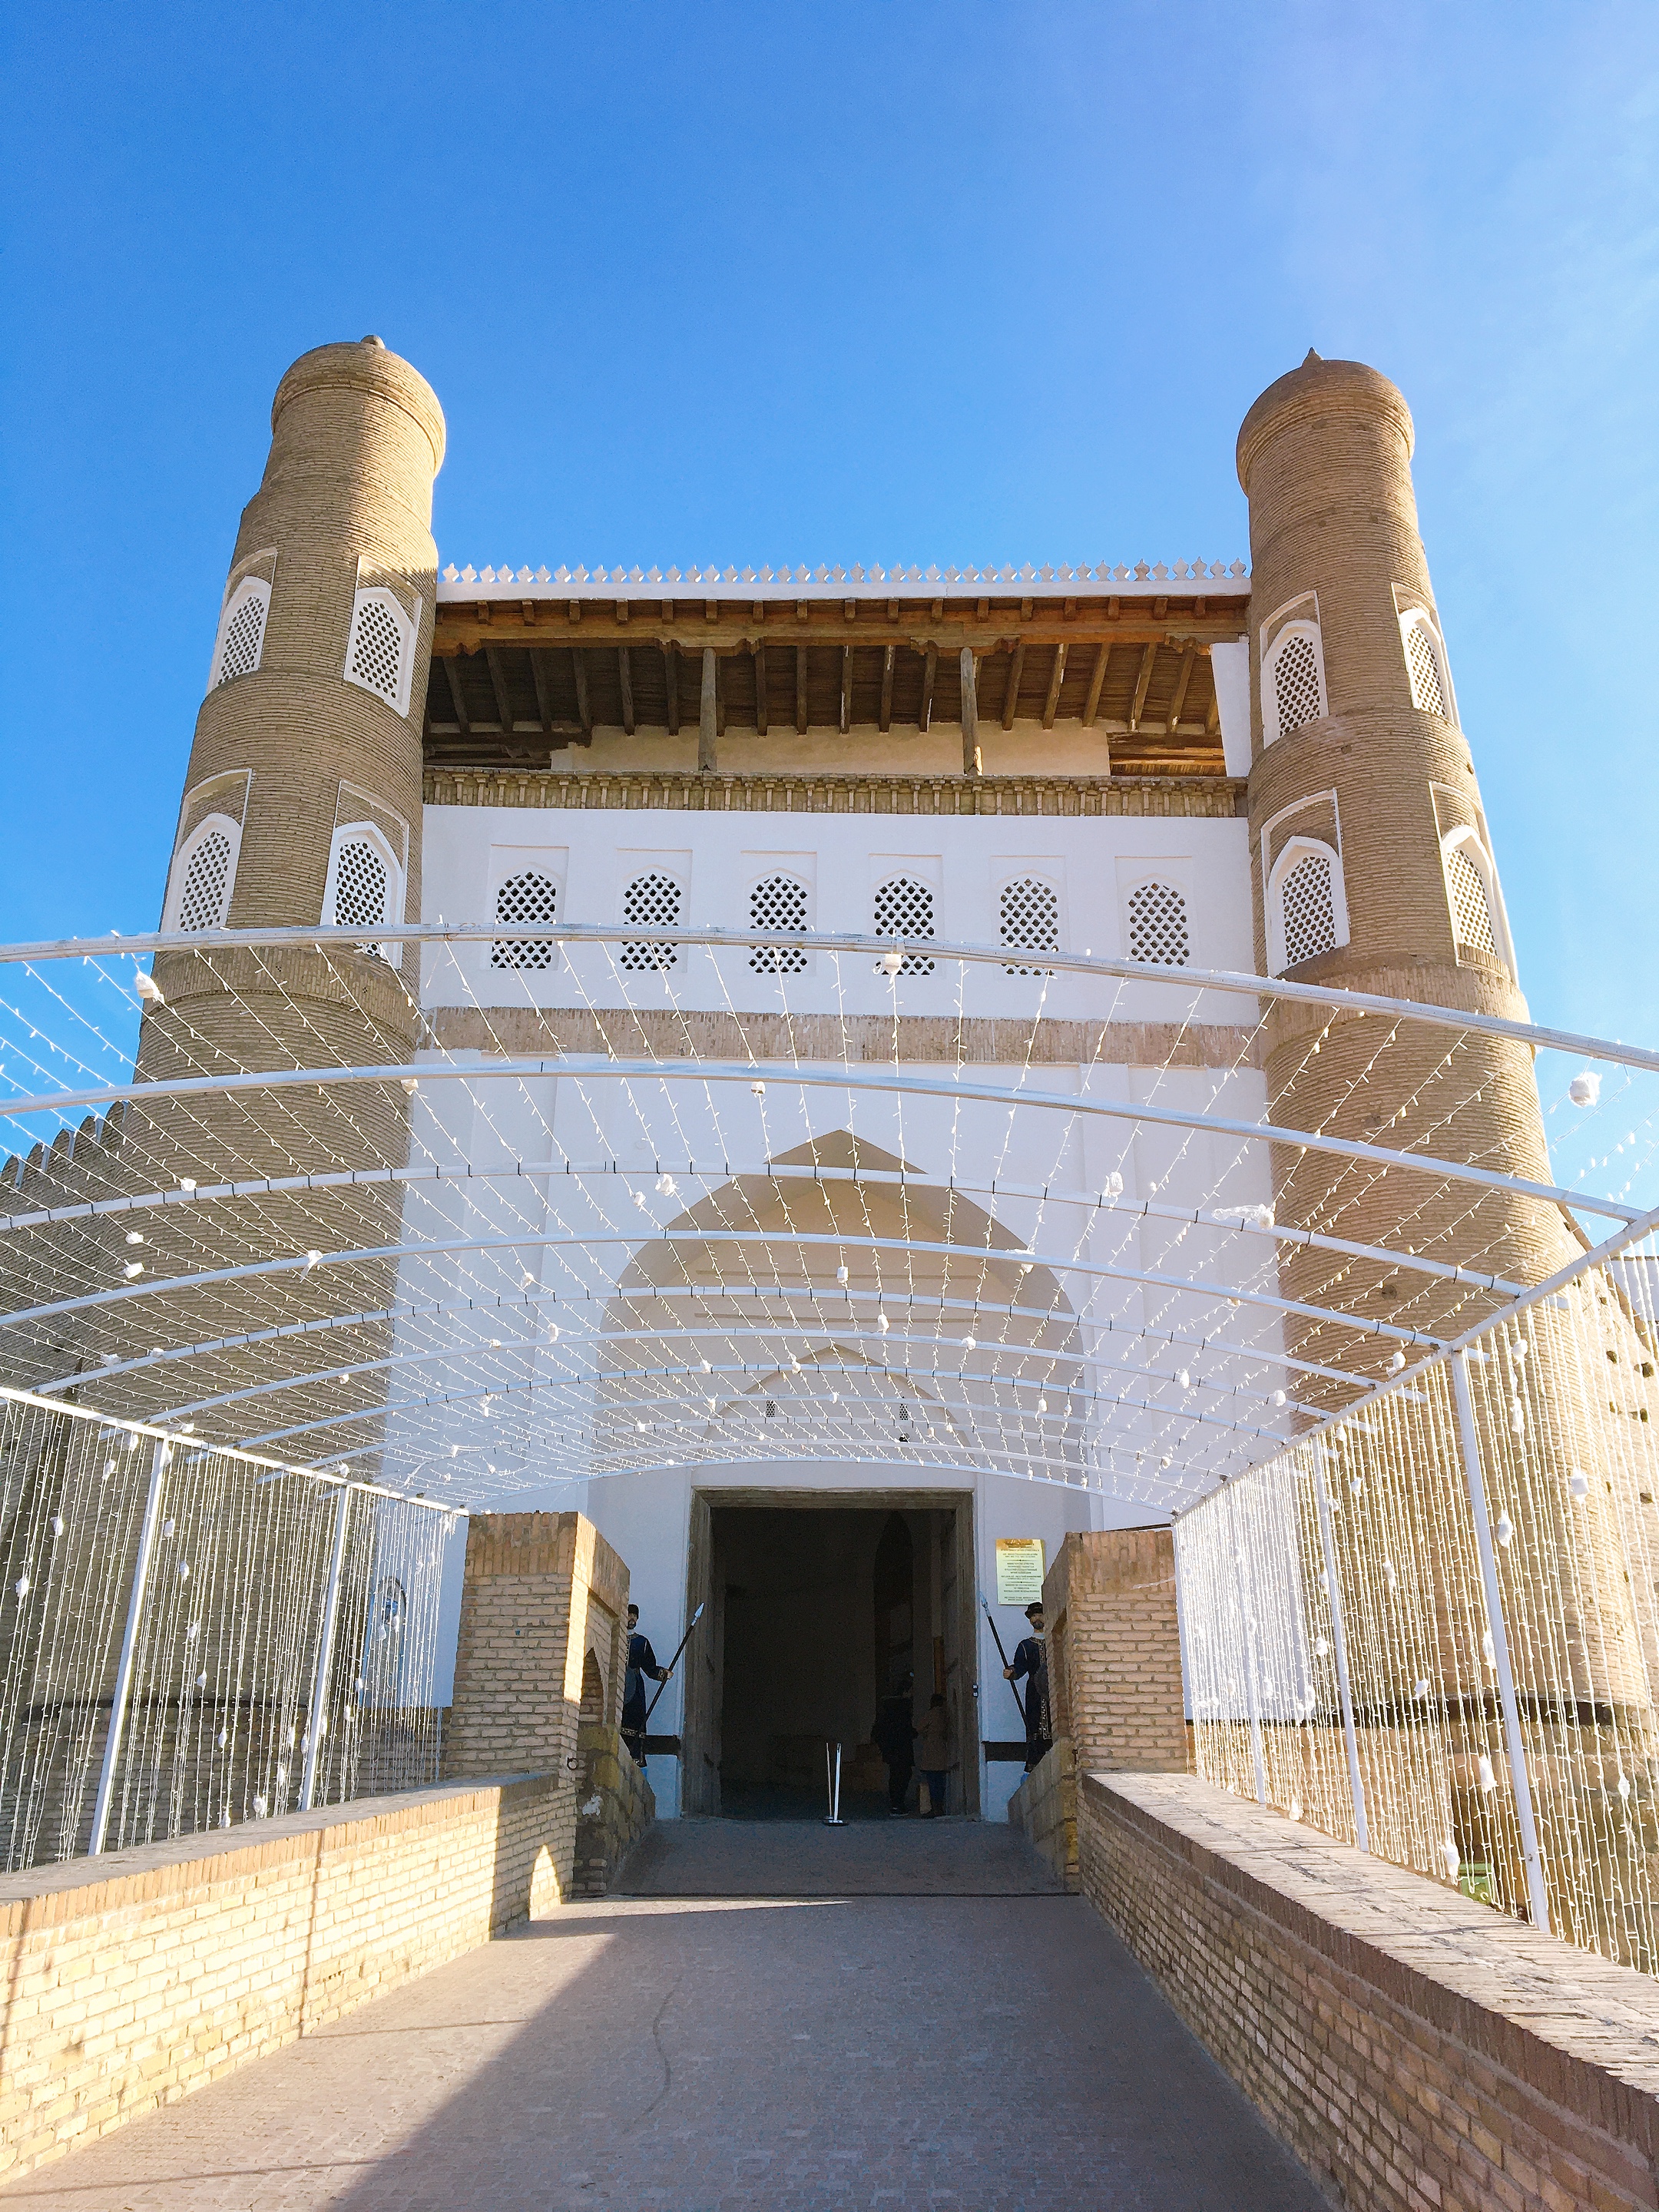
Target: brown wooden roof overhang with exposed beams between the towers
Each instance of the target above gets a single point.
(514, 680)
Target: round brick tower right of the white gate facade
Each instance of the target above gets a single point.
(1373, 870)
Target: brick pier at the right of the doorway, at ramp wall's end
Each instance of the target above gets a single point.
(1116, 1649)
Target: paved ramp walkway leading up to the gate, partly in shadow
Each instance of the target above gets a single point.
(983, 2047)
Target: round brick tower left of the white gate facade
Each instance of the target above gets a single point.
(302, 804)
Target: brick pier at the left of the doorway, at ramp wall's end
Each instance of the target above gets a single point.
(543, 1594)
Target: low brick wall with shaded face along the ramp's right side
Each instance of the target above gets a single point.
(1410, 2045)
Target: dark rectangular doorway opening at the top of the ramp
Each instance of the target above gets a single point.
(817, 1611)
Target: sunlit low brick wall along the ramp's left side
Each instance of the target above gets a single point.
(134, 1979)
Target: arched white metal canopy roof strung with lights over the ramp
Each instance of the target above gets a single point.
(968, 1207)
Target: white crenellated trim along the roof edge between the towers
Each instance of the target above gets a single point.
(899, 583)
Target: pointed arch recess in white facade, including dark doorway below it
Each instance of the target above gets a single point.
(800, 1386)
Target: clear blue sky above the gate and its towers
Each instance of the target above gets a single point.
(842, 284)
